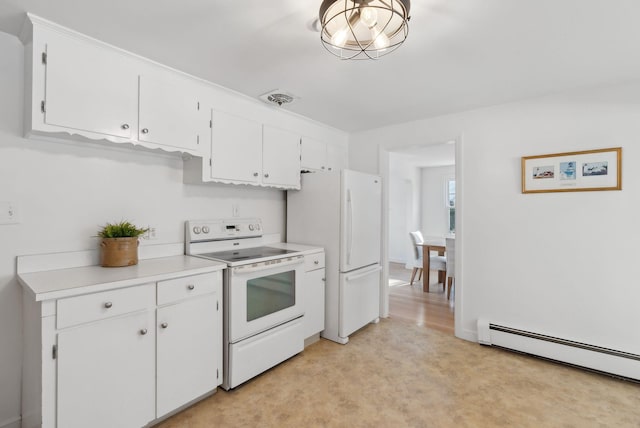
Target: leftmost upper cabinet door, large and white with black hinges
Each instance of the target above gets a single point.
(90, 88)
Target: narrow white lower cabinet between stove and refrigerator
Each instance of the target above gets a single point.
(314, 294)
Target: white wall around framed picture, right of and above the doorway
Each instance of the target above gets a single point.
(563, 264)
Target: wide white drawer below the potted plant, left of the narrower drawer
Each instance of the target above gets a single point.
(96, 306)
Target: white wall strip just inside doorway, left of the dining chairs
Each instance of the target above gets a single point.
(404, 206)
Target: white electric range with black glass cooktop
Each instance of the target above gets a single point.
(263, 302)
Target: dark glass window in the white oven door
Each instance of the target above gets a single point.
(269, 294)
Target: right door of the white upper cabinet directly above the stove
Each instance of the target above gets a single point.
(280, 157)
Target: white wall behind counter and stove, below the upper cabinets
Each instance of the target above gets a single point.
(65, 191)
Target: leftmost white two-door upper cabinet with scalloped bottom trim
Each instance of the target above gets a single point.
(91, 90)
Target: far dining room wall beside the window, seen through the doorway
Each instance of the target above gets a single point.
(435, 214)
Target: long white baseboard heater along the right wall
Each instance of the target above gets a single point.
(596, 358)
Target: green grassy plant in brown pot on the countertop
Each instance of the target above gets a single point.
(119, 246)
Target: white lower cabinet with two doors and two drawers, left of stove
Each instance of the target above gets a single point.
(123, 357)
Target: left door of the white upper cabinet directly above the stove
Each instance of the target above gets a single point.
(236, 148)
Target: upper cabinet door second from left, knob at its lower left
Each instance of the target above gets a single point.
(170, 112)
